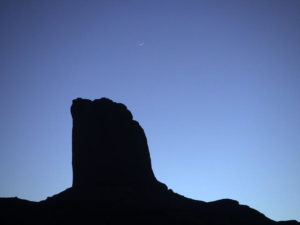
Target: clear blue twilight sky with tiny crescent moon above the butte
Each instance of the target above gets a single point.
(214, 84)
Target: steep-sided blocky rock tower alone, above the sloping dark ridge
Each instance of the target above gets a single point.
(108, 147)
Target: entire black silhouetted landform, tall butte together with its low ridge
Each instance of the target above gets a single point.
(113, 181)
